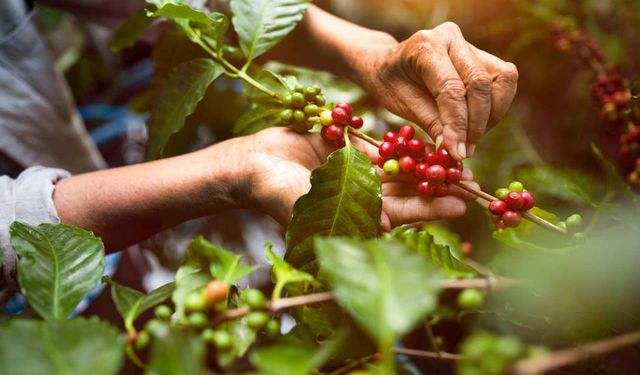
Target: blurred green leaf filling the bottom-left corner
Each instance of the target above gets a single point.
(63, 347)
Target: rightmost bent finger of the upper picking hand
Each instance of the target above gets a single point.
(505, 84)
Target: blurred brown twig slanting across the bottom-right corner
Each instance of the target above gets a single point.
(572, 355)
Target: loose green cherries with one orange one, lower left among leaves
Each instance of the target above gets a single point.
(198, 304)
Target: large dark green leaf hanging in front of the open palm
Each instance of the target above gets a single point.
(345, 200)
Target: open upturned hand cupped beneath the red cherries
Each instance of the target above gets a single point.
(282, 161)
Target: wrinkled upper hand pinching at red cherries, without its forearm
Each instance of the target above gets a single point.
(453, 90)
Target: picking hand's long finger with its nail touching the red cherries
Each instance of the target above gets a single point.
(437, 72)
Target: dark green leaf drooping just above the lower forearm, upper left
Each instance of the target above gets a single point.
(177, 98)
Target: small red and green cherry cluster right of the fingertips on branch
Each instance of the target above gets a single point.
(511, 203)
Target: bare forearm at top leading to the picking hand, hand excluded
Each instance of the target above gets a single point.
(324, 41)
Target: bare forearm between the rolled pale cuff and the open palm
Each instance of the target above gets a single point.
(126, 205)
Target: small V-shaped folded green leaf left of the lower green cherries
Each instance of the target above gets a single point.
(131, 303)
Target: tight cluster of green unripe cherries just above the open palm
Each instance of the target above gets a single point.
(303, 106)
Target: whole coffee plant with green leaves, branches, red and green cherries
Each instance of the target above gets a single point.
(362, 301)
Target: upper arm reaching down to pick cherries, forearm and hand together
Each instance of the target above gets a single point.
(450, 88)
